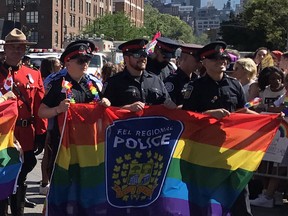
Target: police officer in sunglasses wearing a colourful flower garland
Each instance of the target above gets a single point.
(57, 99)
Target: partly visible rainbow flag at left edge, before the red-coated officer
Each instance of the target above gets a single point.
(10, 163)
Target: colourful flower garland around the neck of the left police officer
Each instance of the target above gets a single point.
(67, 88)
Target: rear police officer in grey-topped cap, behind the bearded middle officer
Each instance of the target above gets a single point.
(158, 63)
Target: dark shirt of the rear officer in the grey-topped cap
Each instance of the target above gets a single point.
(162, 70)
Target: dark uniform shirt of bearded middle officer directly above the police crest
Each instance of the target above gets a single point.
(123, 89)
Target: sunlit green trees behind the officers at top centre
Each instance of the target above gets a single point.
(119, 27)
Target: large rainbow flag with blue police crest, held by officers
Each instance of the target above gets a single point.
(155, 162)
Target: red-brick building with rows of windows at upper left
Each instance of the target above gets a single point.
(50, 22)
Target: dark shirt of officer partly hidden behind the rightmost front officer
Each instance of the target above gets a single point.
(177, 84)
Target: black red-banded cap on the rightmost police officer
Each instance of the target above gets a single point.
(214, 50)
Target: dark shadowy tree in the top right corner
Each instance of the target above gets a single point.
(262, 23)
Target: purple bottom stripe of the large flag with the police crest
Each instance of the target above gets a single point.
(162, 206)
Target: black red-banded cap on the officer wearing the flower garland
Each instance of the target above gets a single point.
(78, 48)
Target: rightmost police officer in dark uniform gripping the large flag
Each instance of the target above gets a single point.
(217, 94)
